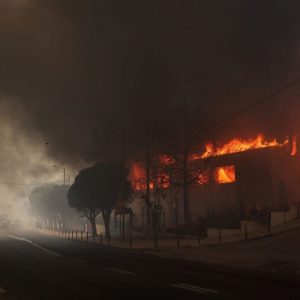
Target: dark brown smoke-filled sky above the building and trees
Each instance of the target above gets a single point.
(84, 81)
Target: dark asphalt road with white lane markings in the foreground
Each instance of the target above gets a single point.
(37, 266)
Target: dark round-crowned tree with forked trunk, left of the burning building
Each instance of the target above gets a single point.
(97, 189)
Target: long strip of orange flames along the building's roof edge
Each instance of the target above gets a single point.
(240, 145)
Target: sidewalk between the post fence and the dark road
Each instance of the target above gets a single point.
(275, 252)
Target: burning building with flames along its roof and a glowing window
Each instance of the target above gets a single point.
(241, 179)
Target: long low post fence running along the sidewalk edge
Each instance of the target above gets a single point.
(159, 240)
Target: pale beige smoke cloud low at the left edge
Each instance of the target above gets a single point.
(24, 160)
